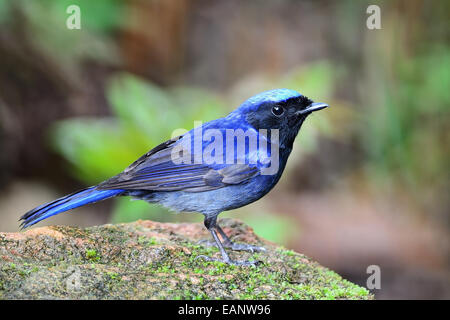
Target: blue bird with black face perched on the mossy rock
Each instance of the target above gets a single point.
(221, 165)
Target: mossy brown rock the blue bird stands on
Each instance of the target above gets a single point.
(150, 260)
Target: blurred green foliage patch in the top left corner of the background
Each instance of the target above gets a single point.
(44, 19)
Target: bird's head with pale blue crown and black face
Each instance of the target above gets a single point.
(281, 109)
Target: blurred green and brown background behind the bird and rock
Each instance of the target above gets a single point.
(368, 180)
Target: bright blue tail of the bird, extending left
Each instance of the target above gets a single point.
(71, 201)
